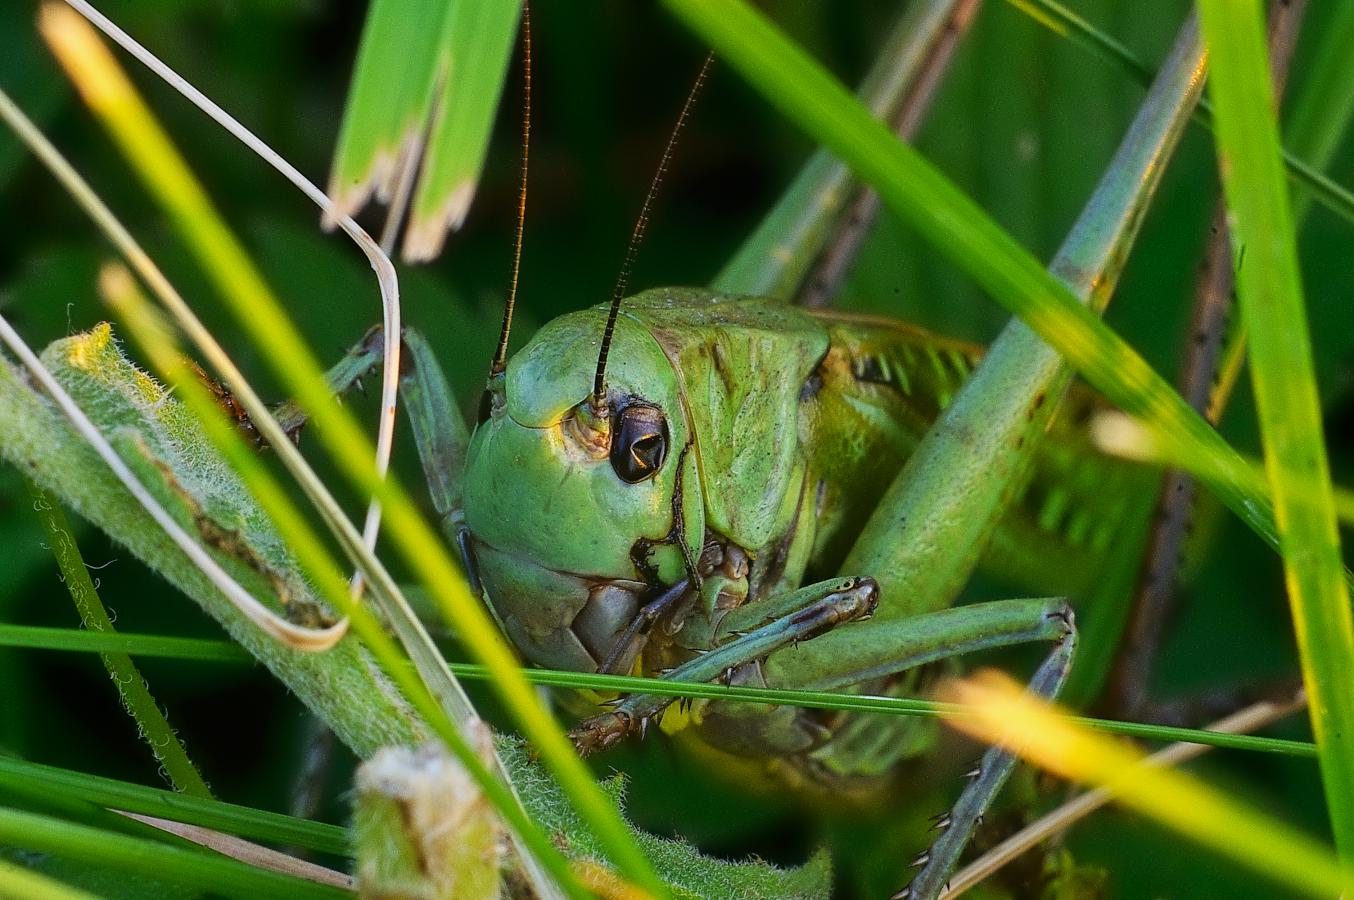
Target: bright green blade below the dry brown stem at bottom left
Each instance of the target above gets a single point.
(139, 856)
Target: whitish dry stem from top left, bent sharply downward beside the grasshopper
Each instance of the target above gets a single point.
(387, 278)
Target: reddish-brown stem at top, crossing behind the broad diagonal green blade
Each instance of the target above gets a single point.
(837, 259)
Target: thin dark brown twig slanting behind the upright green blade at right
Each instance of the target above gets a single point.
(1127, 692)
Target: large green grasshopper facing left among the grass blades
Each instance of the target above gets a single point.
(687, 485)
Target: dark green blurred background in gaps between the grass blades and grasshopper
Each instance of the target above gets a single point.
(1026, 122)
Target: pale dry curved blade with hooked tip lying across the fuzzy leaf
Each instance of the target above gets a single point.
(311, 639)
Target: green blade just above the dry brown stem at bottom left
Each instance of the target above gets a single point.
(259, 825)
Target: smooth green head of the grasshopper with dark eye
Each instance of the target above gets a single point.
(561, 499)
